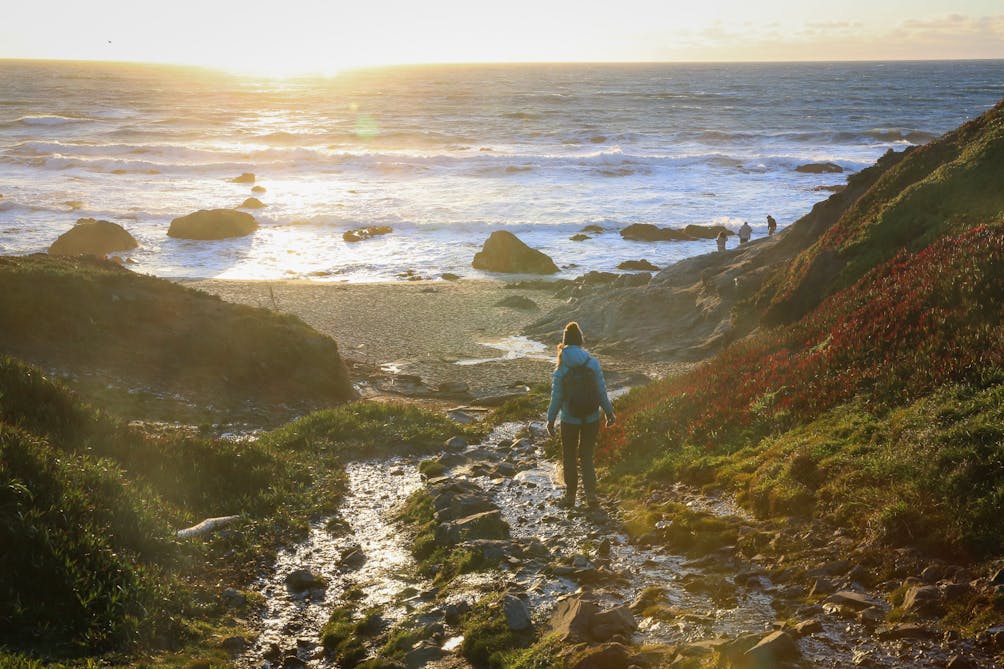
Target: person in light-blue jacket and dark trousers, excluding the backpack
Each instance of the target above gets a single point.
(579, 435)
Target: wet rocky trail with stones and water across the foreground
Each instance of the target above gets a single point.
(577, 573)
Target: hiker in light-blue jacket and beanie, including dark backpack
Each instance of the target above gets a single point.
(579, 391)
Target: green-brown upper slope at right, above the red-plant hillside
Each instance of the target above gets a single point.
(948, 186)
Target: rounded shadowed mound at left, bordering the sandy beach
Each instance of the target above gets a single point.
(102, 325)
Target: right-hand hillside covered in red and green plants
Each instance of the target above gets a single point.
(879, 407)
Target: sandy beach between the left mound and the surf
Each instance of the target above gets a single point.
(438, 332)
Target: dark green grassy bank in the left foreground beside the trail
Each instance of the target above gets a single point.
(90, 563)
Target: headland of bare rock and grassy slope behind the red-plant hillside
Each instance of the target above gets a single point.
(906, 201)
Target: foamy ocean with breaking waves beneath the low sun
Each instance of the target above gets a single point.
(447, 154)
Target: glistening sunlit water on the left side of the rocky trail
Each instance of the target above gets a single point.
(375, 490)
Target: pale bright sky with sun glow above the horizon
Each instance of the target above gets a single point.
(325, 37)
